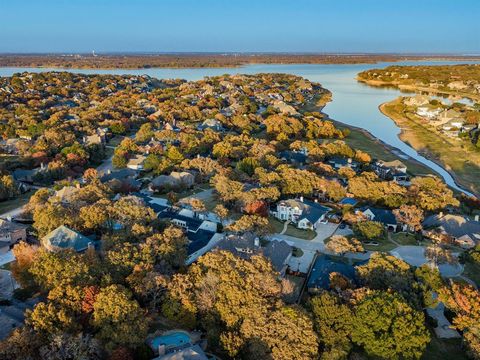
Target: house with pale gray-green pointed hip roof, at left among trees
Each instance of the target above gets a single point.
(63, 238)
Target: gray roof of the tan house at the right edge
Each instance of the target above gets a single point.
(454, 225)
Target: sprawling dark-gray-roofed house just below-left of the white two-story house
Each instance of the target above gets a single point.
(248, 244)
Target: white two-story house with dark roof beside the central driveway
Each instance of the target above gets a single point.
(305, 214)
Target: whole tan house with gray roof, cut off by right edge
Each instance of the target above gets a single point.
(462, 230)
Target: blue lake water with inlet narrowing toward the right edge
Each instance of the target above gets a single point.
(353, 103)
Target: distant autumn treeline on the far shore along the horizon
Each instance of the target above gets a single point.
(91, 61)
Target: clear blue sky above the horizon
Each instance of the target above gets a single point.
(240, 26)
